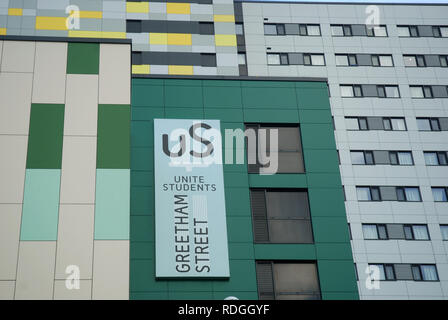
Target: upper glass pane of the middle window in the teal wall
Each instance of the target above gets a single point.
(287, 205)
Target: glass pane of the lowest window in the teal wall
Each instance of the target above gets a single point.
(295, 278)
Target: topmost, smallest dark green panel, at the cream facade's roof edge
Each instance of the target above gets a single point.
(83, 58)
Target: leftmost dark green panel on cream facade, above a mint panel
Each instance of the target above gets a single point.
(45, 136)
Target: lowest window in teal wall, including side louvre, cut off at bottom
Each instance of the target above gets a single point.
(287, 281)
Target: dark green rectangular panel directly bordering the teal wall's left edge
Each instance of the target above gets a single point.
(113, 136)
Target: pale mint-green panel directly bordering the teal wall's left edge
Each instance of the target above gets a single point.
(112, 204)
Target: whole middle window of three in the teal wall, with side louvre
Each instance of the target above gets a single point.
(281, 216)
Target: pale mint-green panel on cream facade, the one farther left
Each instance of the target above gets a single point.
(41, 205)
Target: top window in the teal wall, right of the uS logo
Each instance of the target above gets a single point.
(289, 153)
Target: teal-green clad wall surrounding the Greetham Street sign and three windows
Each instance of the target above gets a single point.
(234, 103)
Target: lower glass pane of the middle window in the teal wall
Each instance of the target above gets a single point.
(290, 231)
